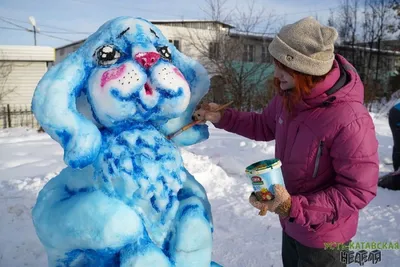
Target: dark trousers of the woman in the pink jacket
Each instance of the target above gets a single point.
(295, 254)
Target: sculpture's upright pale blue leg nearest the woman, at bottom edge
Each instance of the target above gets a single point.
(192, 242)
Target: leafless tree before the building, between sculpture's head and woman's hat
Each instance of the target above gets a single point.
(229, 53)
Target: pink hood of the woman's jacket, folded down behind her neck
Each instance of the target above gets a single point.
(342, 84)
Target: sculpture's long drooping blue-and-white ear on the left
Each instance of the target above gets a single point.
(54, 106)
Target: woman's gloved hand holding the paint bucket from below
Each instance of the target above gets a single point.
(280, 205)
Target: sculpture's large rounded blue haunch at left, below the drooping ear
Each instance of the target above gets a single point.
(70, 216)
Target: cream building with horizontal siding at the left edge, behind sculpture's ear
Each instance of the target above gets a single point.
(21, 68)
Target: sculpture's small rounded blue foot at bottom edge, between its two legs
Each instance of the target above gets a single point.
(142, 254)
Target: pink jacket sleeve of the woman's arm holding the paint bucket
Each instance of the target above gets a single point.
(355, 159)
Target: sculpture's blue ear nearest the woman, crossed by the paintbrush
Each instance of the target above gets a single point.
(199, 82)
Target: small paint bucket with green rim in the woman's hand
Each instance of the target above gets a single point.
(264, 175)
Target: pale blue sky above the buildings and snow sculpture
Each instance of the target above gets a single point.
(73, 20)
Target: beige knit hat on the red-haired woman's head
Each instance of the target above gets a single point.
(305, 46)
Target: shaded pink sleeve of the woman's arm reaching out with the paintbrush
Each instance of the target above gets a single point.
(255, 126)
